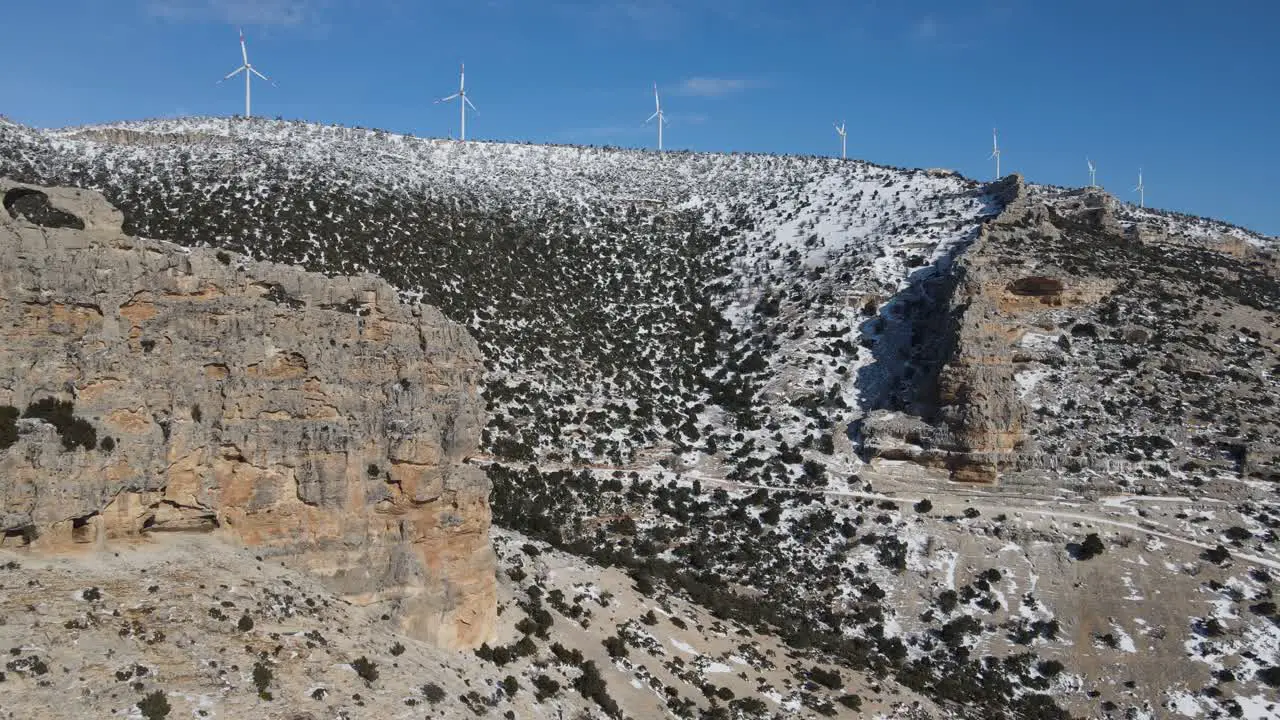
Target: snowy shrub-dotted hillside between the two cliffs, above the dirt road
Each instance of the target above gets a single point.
(627, 300)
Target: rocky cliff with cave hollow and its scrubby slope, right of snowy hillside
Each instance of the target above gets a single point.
(1089, 343)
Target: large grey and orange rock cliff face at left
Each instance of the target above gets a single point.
(317, 420)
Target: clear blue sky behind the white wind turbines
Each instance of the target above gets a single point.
(1188, 90)
